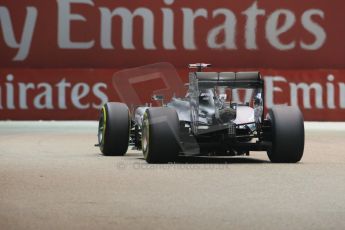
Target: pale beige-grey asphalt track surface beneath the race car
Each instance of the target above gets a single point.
(51, 177)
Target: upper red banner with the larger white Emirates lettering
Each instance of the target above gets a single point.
(290, 34)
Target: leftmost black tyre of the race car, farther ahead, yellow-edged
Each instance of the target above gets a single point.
(114, 129)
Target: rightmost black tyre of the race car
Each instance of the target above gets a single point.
(287, 133)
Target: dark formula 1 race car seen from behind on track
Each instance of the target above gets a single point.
(209, 120)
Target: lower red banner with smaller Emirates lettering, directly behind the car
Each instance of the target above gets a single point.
(77, 94)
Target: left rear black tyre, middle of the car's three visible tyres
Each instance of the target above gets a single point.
(160, 135)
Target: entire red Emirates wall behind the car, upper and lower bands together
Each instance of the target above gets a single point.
(59, 58)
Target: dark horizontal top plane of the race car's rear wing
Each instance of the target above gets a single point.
(229, 79)
